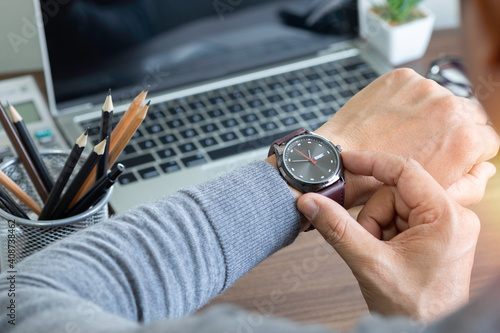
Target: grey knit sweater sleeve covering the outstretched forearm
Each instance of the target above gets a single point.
(169, 258)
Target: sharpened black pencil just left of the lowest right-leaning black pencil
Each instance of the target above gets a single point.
(74, 186)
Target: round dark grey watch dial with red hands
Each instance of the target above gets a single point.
(311, 159)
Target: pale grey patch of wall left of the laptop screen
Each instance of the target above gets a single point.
(20, 50)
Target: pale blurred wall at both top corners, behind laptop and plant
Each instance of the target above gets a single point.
(19, 51)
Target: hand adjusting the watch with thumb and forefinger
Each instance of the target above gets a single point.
(420, 261)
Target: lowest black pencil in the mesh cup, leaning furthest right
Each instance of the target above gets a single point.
(98, 190)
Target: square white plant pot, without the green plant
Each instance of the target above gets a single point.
(402, 43)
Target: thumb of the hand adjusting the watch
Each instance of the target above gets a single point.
(352, 242)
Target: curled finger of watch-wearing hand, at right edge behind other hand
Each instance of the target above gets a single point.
(469, 189)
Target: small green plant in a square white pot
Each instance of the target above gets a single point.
(399, 29)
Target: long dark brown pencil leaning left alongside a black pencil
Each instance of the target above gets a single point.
(23, 154)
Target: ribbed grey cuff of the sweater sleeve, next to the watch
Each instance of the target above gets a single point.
(253, 213)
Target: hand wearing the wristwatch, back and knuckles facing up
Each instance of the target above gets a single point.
(405, 114)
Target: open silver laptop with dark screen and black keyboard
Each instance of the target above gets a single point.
(226, 79)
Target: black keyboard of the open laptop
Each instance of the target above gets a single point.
(197, 129)
